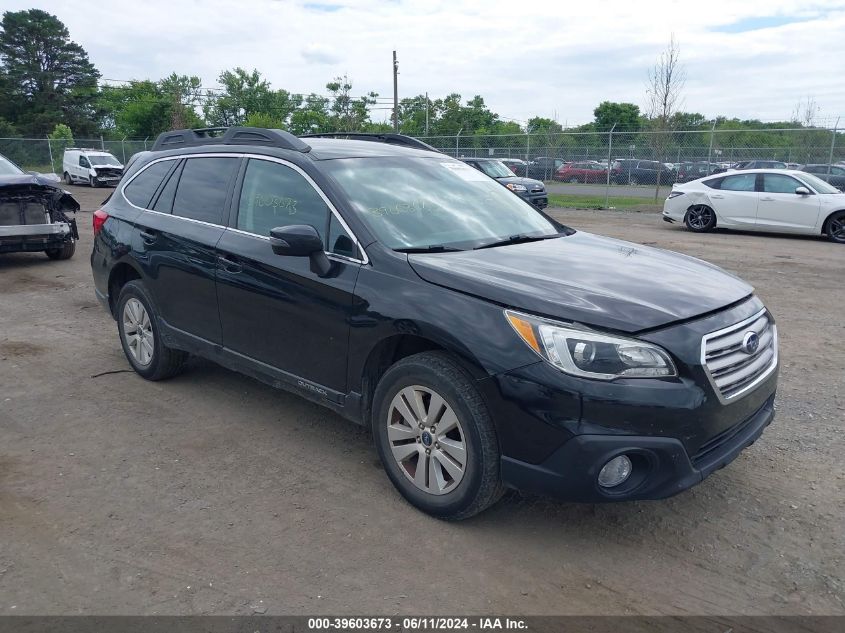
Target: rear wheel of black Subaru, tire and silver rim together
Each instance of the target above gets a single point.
(140, 337)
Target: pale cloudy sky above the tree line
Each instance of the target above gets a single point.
(557, 59)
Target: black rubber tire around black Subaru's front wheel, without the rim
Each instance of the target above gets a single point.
(481, 484)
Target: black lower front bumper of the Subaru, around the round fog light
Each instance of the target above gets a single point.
(661, 465)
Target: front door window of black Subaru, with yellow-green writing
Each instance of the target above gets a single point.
(275, 195)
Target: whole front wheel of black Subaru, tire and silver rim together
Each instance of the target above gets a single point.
(435, 437)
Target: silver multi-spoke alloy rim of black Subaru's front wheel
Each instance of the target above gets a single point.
(427, 440)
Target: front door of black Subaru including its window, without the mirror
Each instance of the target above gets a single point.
(273, 308)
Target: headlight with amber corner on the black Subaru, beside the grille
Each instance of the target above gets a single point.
(591, 354)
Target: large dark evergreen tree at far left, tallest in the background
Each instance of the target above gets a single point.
(47, 77)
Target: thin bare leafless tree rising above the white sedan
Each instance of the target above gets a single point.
(666, 82)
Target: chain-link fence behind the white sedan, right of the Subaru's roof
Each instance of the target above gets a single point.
(646, 157)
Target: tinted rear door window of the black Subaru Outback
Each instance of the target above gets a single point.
(201, 193)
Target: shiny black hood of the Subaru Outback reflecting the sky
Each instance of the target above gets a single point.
(588, 279)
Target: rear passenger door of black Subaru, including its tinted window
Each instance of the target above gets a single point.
(177, 237)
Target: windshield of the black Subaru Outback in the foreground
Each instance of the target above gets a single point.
(411, 202)
